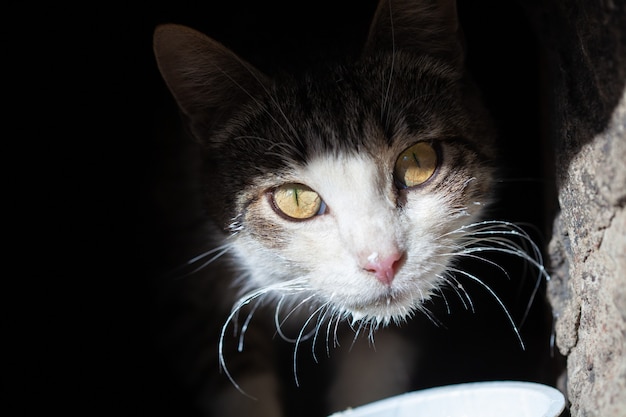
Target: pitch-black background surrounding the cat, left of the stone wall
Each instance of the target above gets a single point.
(80, 320)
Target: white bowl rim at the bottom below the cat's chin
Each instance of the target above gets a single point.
(475, 399)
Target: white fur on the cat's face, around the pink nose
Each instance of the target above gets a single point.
(326, 255)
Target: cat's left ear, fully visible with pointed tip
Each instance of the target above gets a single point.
(208, 81)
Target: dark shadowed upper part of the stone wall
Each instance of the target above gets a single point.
(584, 63)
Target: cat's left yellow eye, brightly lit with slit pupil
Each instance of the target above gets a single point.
(297, 201)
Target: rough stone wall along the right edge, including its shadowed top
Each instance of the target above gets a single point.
(585, 64)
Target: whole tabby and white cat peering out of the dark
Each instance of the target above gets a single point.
(340, 201)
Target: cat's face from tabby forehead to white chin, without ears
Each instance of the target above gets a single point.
(364, 219)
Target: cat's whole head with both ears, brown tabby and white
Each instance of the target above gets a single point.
(350, 184)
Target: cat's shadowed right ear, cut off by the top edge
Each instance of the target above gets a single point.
(423, 26)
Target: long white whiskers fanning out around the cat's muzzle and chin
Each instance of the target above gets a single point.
(474, 240)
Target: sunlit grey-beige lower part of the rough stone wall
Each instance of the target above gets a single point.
(588, 289)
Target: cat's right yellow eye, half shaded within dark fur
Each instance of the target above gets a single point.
(416, 165)
